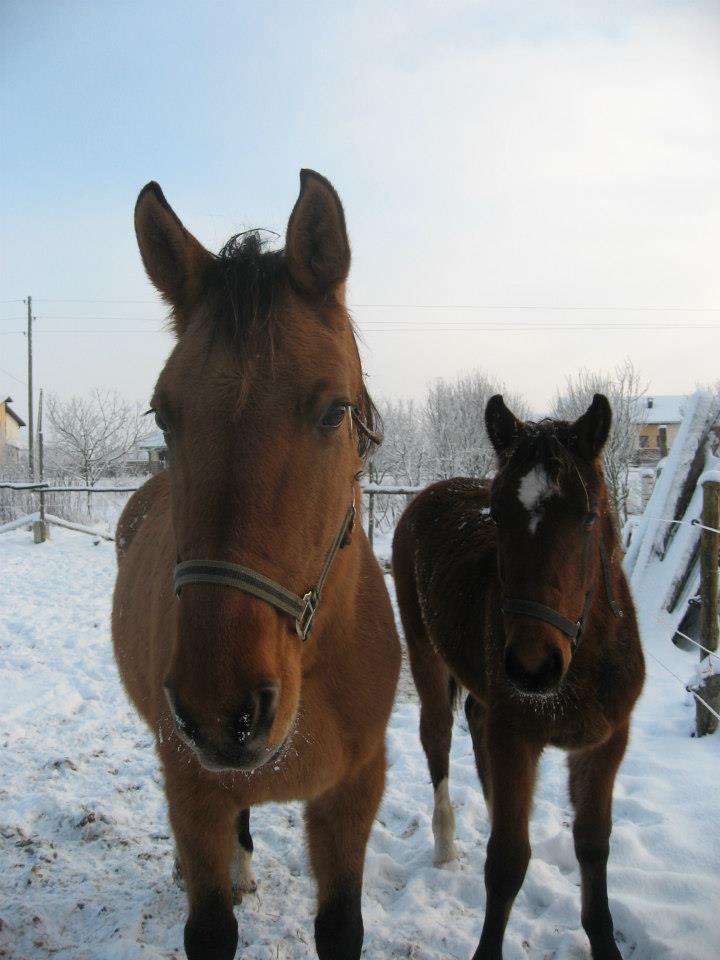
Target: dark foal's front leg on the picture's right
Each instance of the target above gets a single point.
(592, 776)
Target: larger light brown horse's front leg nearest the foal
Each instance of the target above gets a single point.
(338, 826)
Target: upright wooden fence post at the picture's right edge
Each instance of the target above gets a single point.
(709, 690)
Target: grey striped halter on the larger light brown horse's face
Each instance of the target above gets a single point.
(302, 609)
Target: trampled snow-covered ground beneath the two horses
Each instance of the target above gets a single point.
(85, 855)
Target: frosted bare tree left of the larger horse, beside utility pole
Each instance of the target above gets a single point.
(92, 434)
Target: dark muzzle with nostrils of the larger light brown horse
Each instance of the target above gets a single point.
(237, 741)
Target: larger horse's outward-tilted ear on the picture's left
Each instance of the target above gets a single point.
(175, 261)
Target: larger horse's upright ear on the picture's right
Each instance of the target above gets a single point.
(317, 250)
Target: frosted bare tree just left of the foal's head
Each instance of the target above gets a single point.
(454, 424)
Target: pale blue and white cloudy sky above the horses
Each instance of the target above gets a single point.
(529, 157)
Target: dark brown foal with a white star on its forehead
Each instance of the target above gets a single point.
(514, 591)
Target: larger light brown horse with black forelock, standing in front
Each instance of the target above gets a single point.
(267, 670)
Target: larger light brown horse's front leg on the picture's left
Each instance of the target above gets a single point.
(205, 824)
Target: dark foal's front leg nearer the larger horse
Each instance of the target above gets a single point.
(512, 762)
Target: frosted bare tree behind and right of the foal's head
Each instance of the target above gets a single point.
(624, 389)
